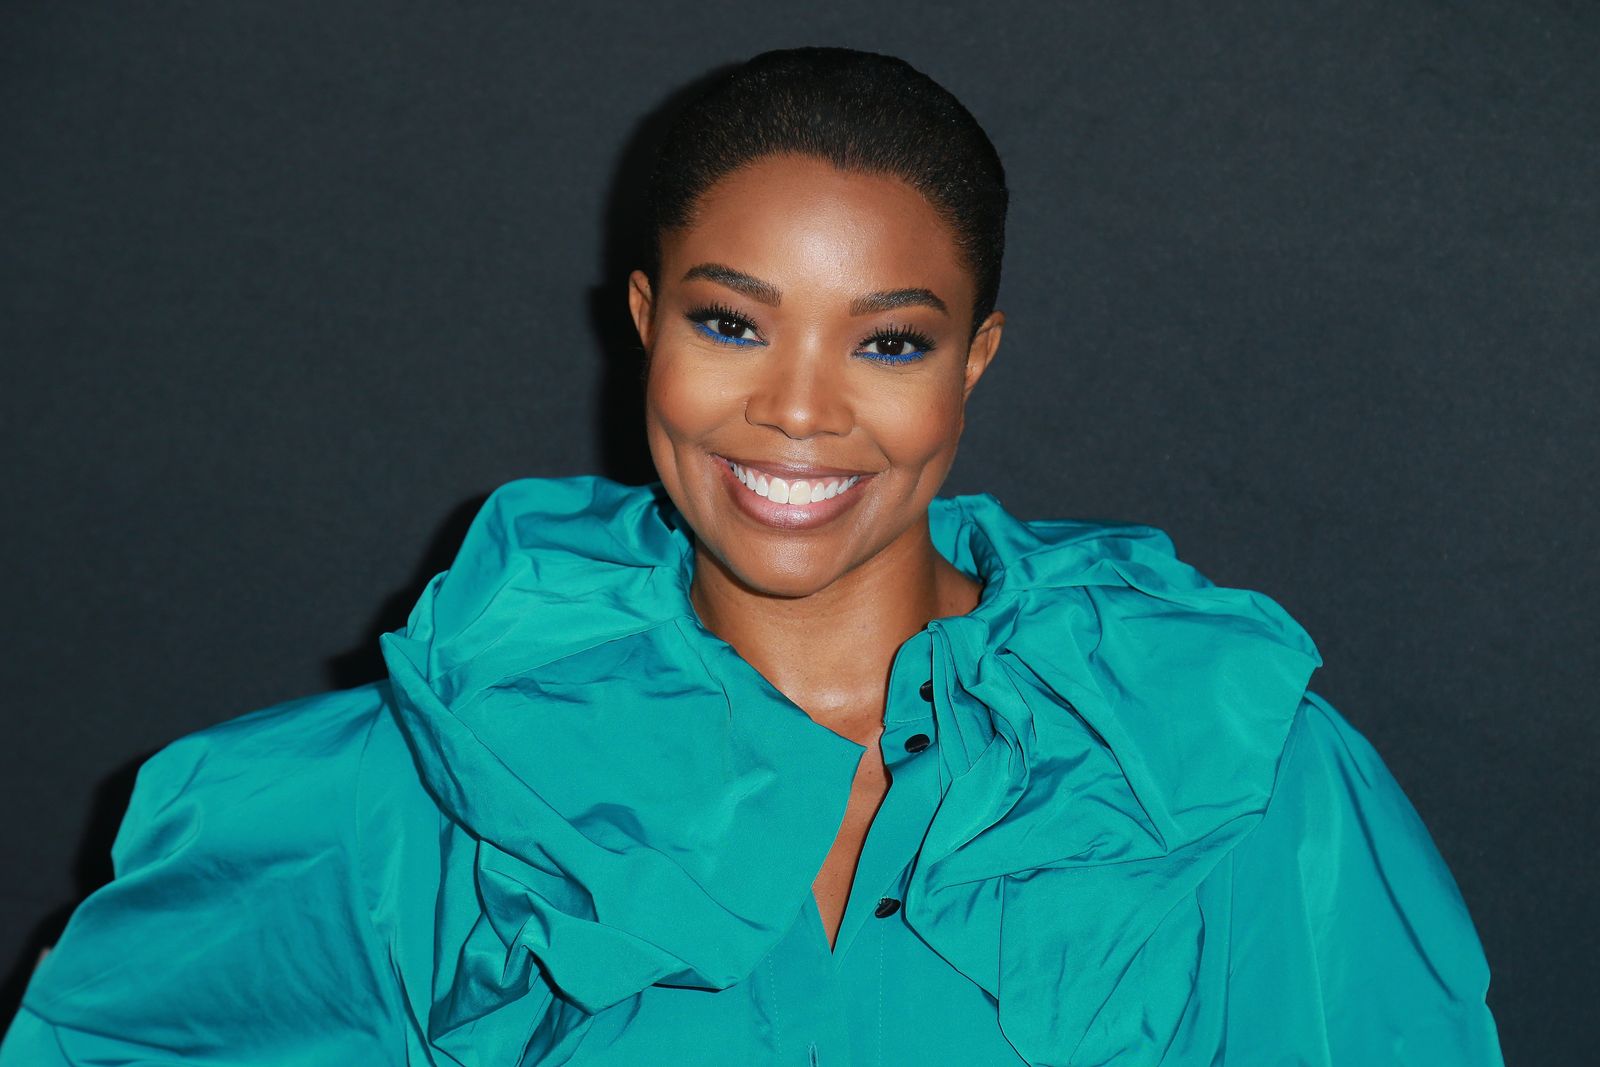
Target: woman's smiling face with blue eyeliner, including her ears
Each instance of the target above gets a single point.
(810, 359)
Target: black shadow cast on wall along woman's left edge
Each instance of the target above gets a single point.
(625, 457)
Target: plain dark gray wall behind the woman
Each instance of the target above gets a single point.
(289, 287)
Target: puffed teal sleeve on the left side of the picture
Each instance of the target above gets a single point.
(234, 932)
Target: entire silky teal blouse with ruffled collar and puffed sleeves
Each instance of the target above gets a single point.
(577, 828)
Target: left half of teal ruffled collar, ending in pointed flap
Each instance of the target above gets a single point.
(564, 637)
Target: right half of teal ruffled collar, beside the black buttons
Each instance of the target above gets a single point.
(1121, 722)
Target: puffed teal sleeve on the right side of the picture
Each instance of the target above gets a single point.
(1351, 941)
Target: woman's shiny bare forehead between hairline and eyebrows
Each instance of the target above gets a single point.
(806, 225)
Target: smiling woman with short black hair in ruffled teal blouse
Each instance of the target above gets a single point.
(786, 761)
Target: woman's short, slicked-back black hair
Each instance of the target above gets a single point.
(862, 113)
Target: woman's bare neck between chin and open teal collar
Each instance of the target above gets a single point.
(831, 652)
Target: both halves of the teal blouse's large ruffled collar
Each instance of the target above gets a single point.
(1108, 727)
